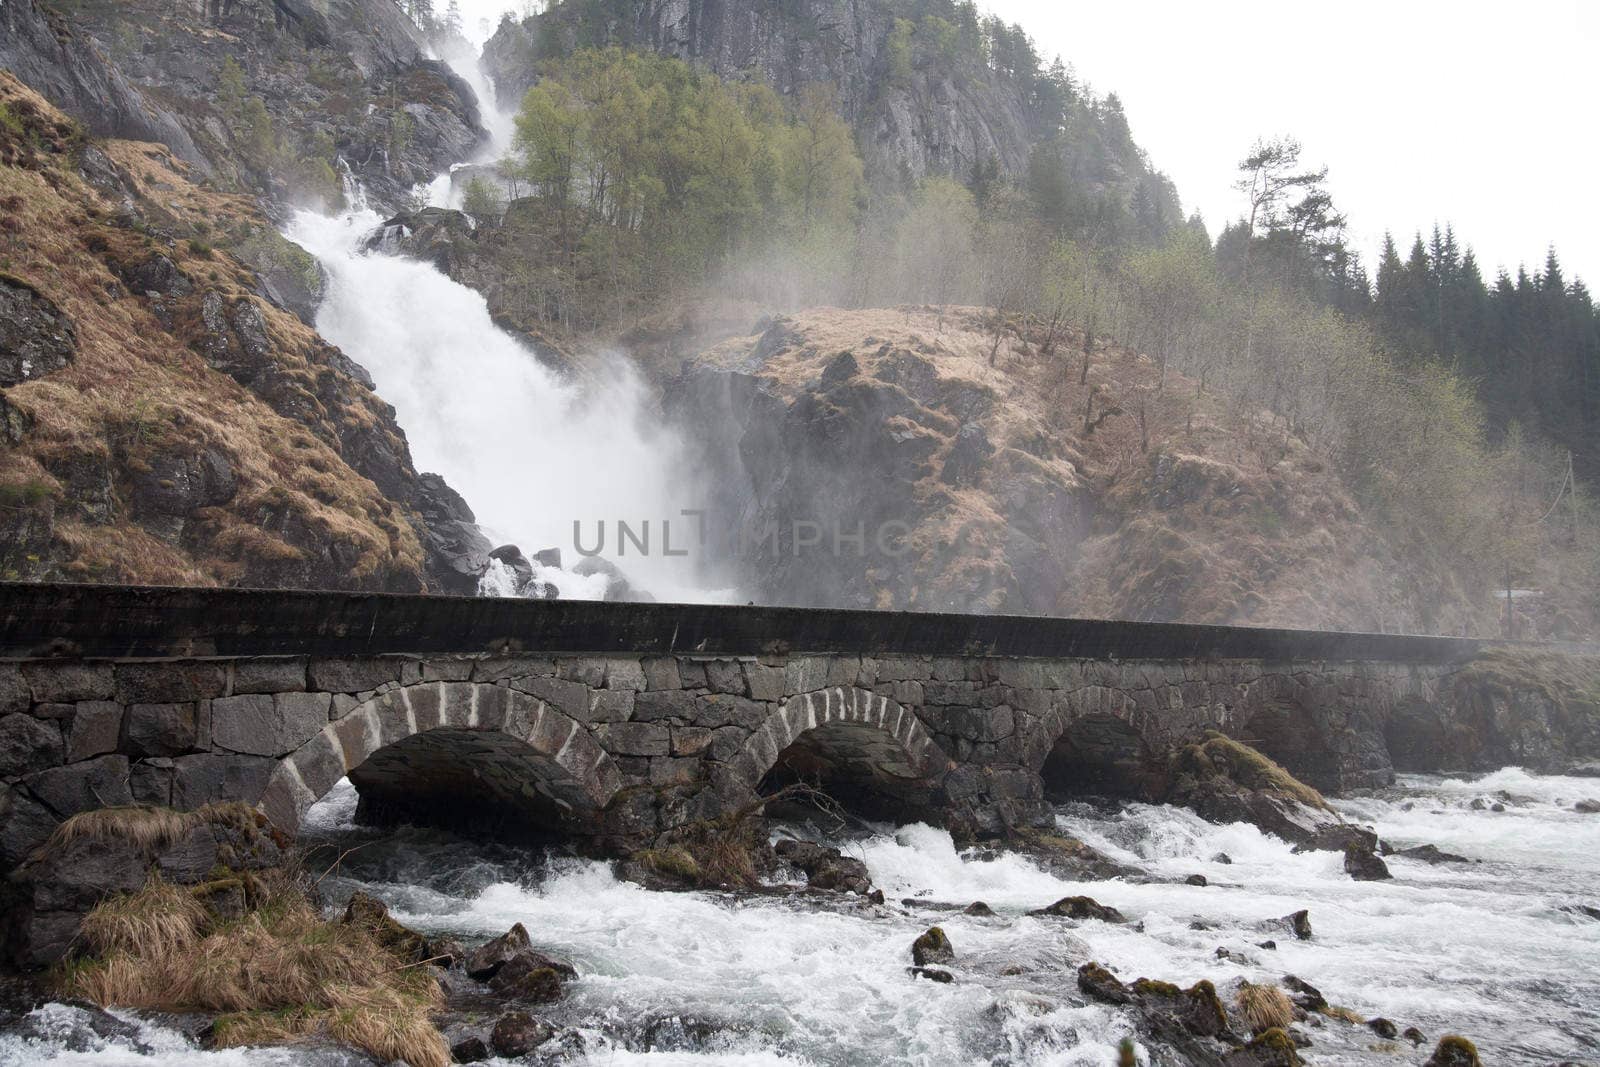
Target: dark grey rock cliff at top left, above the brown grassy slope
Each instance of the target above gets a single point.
(271, 97)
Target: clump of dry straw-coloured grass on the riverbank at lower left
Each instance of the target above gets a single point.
(278, 975)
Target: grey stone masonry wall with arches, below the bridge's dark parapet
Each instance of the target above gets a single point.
(625, 748)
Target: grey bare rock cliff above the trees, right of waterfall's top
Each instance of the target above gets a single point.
(930, 121)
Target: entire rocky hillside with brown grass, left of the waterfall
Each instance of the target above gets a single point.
(161, 420)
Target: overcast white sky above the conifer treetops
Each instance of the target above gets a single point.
(1478, 113)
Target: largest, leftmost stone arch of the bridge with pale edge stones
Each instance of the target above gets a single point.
(433, 740)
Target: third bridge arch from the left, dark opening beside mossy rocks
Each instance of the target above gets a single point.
(1100, 748)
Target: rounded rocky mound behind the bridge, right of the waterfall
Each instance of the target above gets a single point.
(1025, 486)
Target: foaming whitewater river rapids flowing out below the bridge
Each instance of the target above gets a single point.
(1494, 949)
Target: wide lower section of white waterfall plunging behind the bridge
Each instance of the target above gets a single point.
(529, 452)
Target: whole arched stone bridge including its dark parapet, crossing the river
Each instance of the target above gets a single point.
(620, 722)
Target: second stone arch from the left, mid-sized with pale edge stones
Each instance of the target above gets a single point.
(866, 749)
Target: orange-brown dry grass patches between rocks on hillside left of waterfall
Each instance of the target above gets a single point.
(140, 390)
